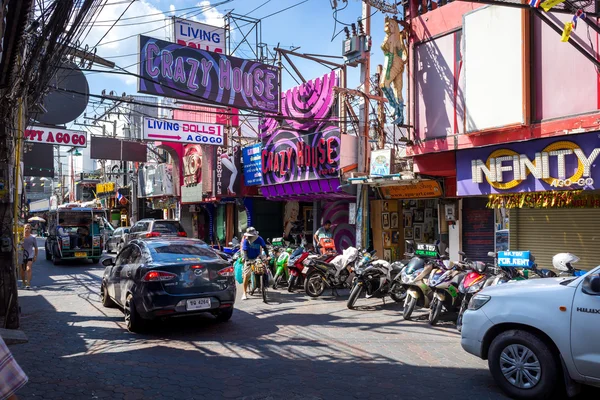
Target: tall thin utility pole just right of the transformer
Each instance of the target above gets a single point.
(362, 200)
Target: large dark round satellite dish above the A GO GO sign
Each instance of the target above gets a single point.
(67, 98)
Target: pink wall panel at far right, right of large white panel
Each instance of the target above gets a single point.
(566, 83)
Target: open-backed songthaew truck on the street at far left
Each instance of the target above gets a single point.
(75, 232)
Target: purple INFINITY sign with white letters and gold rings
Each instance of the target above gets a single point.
(565, 163)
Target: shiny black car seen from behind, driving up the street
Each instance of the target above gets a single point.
(156, 278)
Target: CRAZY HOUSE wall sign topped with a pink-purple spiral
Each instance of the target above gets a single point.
(307, 148)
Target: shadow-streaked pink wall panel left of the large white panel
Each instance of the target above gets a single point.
(436, 88)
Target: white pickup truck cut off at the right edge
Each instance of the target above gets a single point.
(539, 336)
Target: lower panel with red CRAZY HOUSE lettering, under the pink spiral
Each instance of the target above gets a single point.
(288, 156)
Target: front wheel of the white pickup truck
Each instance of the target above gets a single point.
(523, 365)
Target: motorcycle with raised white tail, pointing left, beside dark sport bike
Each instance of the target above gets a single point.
(333, 275)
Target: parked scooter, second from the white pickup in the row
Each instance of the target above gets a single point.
(444, 282)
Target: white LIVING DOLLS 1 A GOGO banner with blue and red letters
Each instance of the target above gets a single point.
(183, 131)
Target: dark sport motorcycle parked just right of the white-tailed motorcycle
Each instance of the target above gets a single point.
(377, 278)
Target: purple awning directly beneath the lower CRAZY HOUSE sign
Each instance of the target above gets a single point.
(314, 190)
